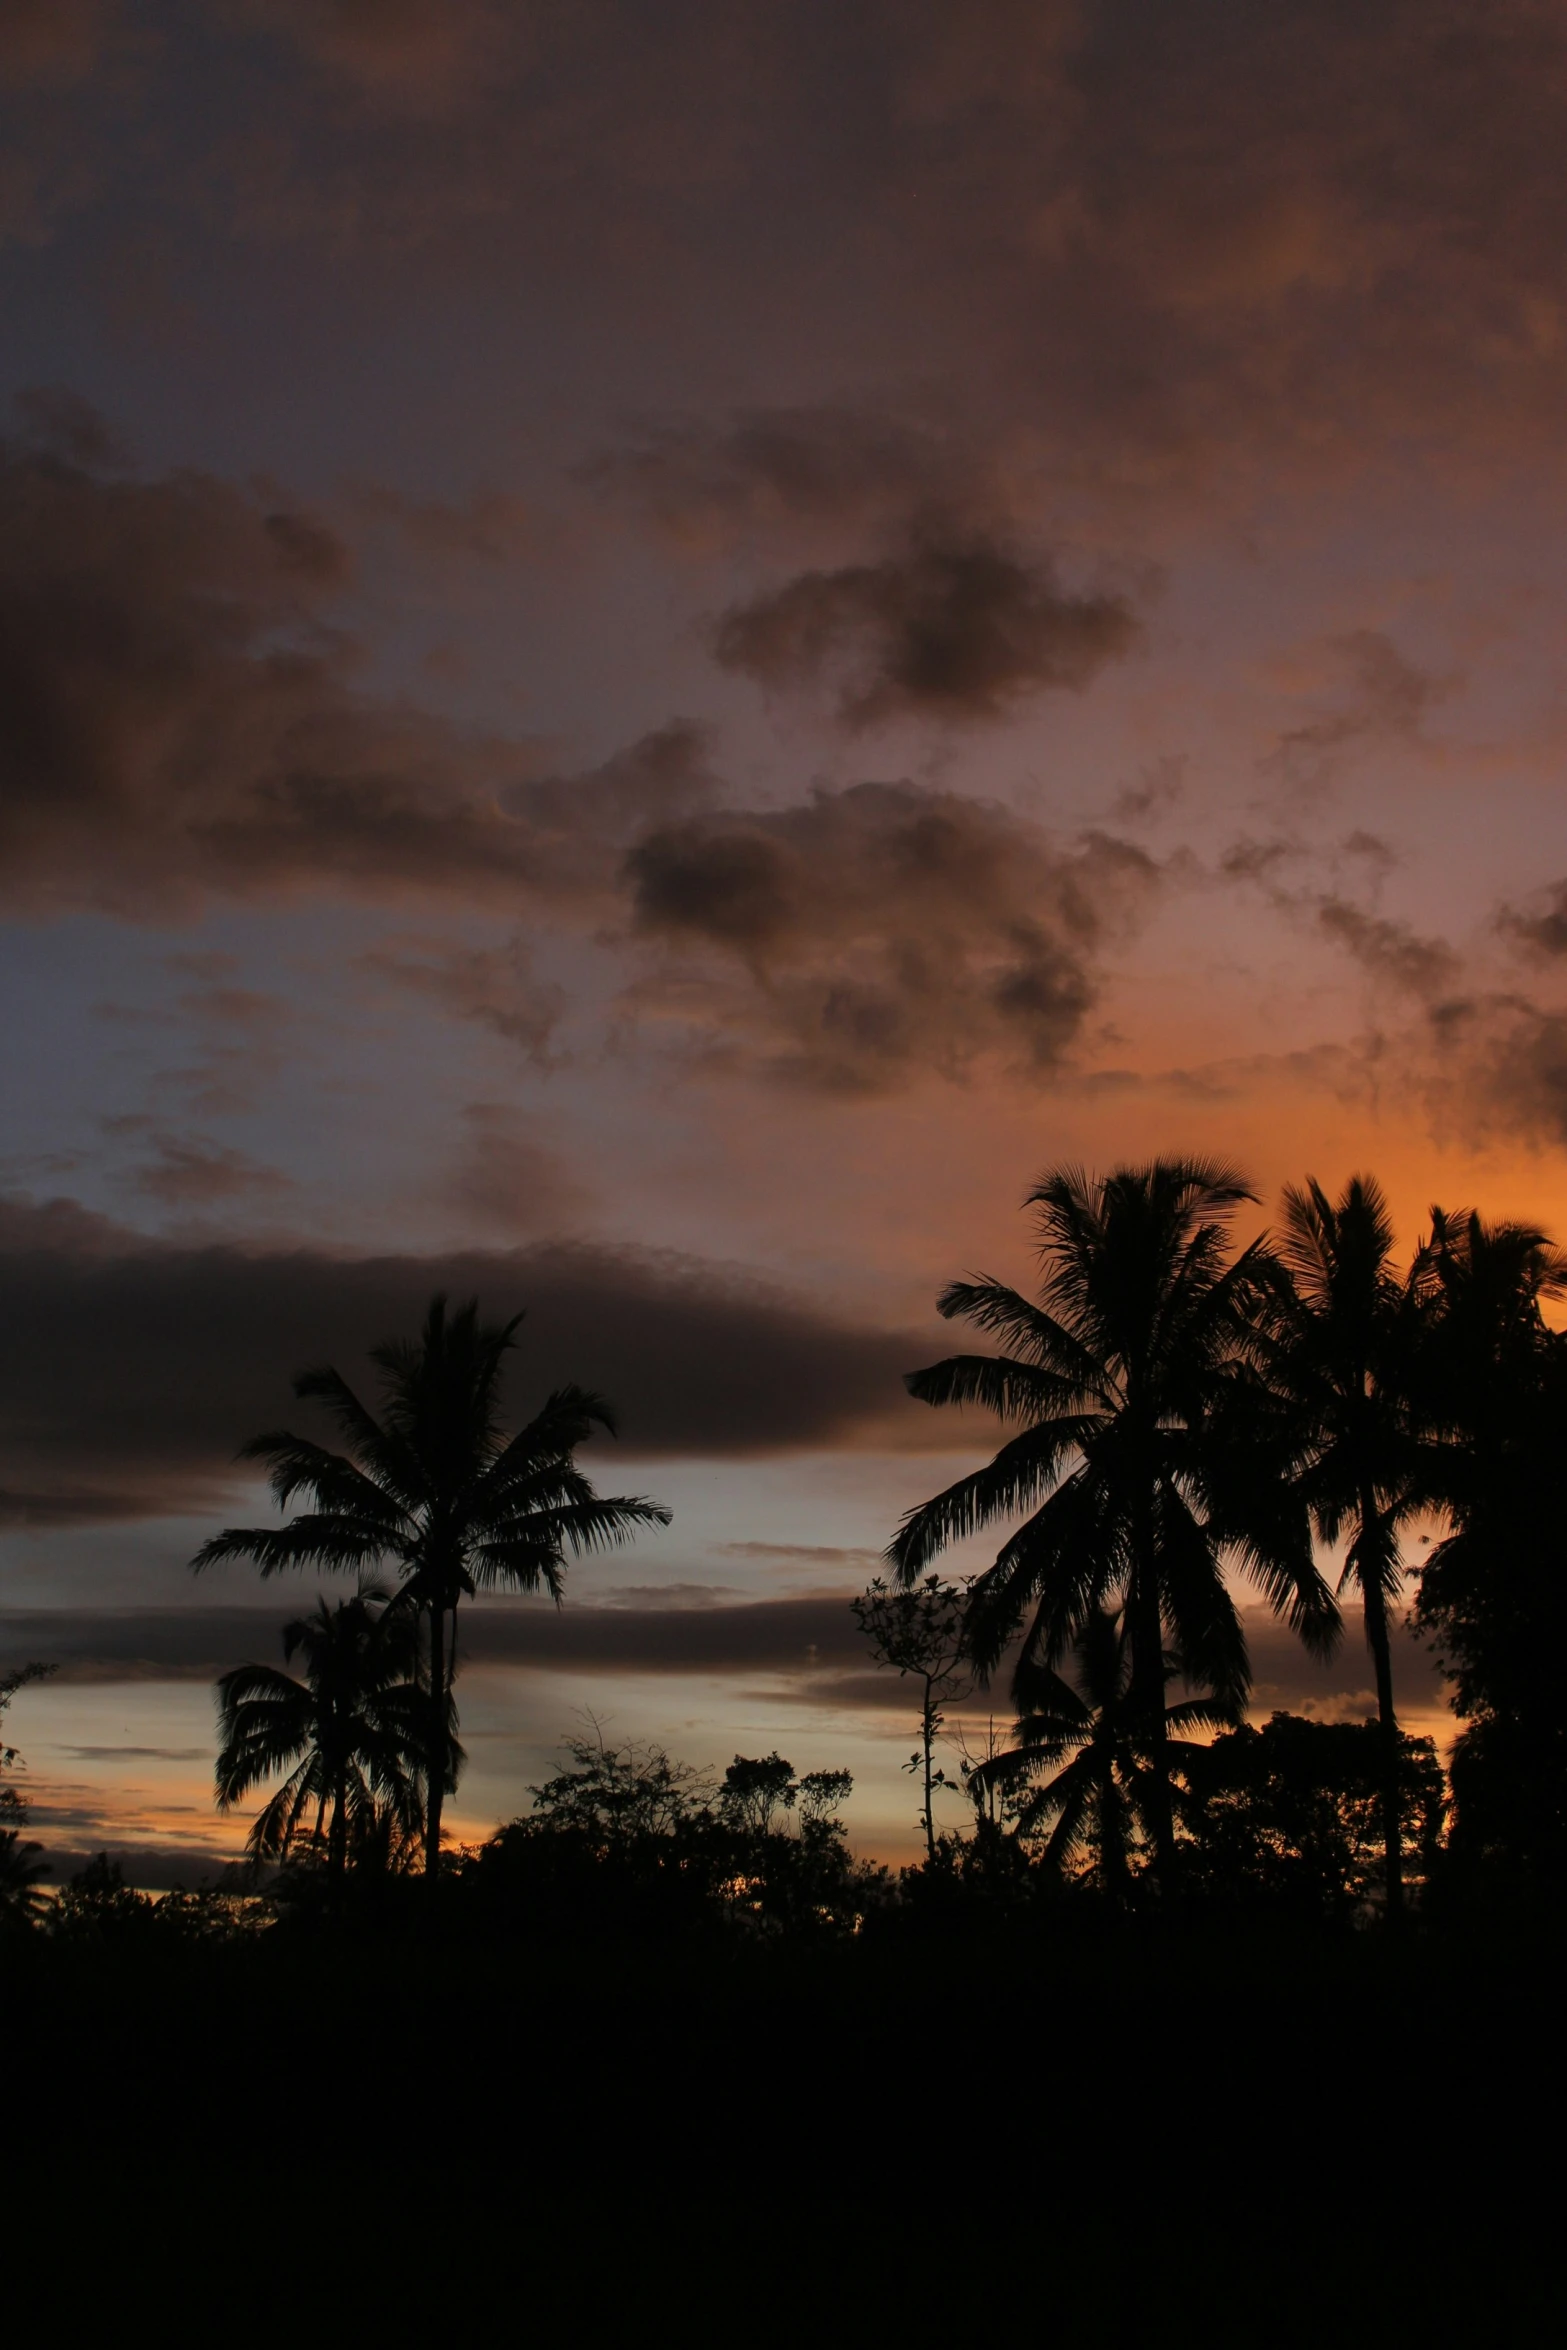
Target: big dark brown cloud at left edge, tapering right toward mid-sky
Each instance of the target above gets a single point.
(180, 718)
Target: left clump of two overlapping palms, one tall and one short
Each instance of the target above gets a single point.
(433, 1491)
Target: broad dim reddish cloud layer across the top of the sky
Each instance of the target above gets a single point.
(1169, 243)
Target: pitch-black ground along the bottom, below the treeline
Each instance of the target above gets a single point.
(1150, 2130)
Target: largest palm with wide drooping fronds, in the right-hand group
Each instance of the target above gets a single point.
(1143, 1446)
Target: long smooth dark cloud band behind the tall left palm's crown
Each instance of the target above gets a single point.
(133, 1371)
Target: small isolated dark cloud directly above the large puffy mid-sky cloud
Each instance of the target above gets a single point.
(953, 629)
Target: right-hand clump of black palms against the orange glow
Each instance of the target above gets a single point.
(1181, 1411)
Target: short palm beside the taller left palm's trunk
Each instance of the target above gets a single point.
(349, 1735)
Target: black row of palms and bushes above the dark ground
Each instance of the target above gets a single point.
(1176, 1411)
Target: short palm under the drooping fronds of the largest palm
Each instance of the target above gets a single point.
(1101, 1794)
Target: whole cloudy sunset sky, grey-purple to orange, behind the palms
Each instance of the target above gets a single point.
(654, 652)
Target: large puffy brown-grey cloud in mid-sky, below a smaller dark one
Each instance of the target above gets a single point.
(870, 934)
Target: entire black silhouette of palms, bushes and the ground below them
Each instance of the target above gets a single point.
(1178, 2020)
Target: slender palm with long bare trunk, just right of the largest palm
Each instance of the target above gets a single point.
(1345, 1362)
